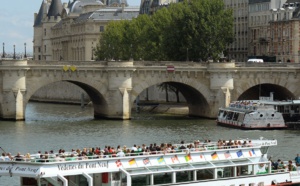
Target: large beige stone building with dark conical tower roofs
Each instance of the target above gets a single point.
(71, 30)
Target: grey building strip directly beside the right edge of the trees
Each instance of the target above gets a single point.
(238, 50)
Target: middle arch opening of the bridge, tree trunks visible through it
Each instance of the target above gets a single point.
(173, 98)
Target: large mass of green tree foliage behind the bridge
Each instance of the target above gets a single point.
(194, 29)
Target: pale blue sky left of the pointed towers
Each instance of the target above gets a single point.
(16, 23)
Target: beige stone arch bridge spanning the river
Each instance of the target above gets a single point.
(114, 86)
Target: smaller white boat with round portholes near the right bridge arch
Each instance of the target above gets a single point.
(250, 115)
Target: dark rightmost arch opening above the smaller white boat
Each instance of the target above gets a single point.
(279, 92)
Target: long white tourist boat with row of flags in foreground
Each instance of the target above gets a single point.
(204, 164)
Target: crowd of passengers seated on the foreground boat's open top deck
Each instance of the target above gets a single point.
(135, 150)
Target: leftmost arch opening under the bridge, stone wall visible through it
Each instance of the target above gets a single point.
(73, 93)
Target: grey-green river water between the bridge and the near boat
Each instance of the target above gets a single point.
(53, 126)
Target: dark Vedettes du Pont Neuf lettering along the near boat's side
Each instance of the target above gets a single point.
(89, 165)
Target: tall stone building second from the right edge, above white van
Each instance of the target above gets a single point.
(259, 26)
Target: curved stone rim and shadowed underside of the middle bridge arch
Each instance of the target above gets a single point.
(195, 93)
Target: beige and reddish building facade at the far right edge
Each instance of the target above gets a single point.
(284, 32)
